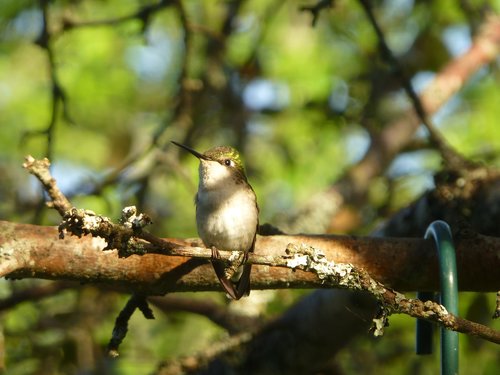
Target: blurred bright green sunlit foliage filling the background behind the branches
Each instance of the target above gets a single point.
(316, 91)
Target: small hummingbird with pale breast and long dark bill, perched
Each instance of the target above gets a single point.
(227, 214)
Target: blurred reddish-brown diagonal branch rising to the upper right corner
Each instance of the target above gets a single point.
(351, 188)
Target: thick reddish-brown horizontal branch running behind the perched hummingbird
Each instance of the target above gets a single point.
(404, 264)
